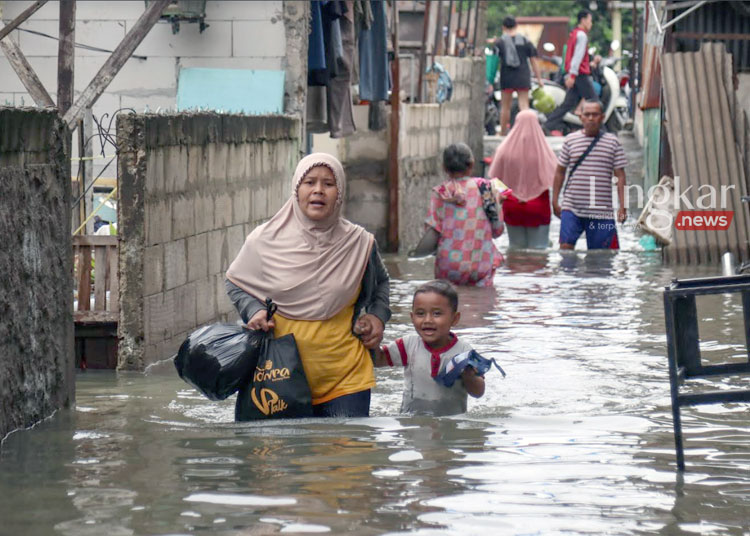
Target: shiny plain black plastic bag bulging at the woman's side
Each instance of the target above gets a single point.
(219, 359)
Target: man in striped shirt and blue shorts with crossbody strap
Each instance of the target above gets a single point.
(587, 199)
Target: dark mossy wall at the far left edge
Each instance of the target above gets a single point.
(36, 294)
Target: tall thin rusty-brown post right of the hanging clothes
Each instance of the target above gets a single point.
(393, 182)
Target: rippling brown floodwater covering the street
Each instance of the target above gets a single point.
(576, 440)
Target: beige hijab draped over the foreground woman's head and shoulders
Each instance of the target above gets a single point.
(310, 269)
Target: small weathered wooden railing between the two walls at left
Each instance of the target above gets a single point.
(103, 285)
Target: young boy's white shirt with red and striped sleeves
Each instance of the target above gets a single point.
(422, 394)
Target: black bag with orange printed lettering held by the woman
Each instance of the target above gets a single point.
(278, 388)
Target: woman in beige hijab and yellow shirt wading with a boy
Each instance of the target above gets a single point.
(326, 277)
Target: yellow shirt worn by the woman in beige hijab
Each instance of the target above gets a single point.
(336, 362)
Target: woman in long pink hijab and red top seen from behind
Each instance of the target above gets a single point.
(525, 162)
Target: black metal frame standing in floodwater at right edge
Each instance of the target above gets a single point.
(683, 346)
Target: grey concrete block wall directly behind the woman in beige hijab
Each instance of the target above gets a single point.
(192, 187)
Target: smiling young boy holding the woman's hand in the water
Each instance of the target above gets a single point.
(434, 312)
